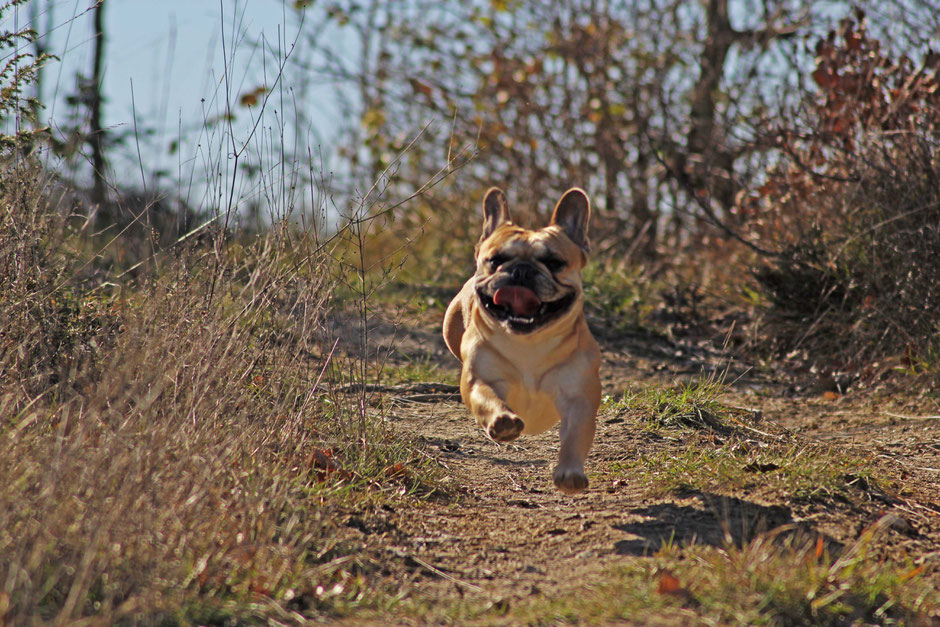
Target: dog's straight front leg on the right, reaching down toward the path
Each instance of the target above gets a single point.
(578, 416)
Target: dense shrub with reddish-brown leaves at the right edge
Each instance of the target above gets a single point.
(856, 207)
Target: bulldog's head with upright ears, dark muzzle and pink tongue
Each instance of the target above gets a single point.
(530, 280)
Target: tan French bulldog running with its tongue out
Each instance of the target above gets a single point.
(529, 360)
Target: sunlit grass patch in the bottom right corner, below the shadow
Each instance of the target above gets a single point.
(772, 580)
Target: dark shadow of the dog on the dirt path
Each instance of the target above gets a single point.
(720, 521)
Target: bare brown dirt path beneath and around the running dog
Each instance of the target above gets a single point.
(511, 535)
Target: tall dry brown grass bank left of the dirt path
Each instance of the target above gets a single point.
(170, 447)
